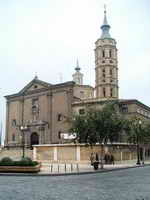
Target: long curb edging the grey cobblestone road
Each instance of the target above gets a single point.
(73, 173)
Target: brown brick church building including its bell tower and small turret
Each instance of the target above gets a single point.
(39, 113)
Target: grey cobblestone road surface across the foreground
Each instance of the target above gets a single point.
(129, 184)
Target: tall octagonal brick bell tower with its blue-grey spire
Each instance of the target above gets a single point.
(106, 70)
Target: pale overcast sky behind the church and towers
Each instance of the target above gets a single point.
(47, 36)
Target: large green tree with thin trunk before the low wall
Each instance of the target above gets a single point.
(99, 126)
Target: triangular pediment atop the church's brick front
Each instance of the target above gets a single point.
(34, 85)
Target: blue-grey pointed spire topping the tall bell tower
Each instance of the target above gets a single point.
(105, 27)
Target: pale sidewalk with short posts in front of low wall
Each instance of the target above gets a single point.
(73, 168)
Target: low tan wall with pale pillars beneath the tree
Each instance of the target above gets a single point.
(81, 152)
